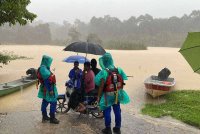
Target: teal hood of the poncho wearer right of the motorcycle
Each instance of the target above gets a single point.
(106, 61)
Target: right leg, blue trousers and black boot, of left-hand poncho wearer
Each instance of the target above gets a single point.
(52, 113)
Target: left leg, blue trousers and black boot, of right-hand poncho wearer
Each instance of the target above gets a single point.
(107, 118)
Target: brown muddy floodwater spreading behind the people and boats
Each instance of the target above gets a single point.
(139, 64)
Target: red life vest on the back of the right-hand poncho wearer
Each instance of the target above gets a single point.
(114, 81)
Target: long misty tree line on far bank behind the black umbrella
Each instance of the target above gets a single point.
(144, 29)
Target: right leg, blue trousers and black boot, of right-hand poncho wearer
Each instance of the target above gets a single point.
(117, 112)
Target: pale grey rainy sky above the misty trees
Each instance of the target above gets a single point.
(59, 10)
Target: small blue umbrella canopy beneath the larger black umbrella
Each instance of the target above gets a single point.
(72, 59)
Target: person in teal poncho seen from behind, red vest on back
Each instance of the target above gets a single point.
(112, 98)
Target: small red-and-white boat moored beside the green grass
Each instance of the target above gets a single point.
(156, 87)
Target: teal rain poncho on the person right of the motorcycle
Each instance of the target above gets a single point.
(106, 62)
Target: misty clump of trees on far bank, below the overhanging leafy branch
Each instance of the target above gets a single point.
(39, 34)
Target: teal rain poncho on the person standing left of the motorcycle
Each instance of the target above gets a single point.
(45, 73)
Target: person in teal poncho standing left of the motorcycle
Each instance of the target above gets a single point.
(47, 90)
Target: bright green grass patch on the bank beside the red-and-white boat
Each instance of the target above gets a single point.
(182, 105)
